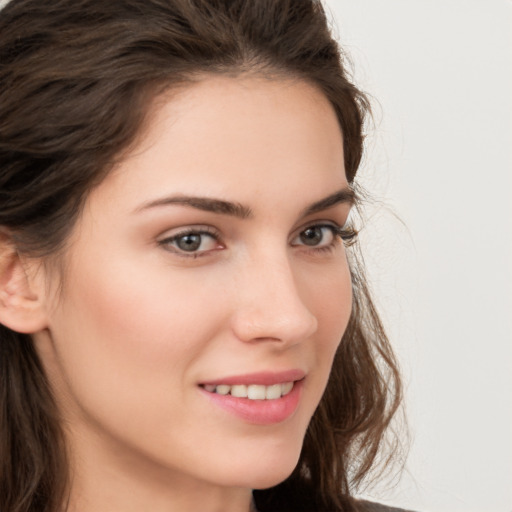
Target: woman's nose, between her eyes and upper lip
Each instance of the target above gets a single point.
(269, 305)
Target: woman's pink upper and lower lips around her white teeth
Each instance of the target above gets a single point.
(260, 412)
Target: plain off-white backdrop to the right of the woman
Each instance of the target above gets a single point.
(440, 160)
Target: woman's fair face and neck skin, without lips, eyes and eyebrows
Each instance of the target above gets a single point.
(138, 324)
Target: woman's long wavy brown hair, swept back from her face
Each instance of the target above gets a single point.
(76, 79)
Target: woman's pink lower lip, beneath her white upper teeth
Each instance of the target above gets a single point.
(260, 412)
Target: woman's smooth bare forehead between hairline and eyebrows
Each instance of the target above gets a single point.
(225, 136)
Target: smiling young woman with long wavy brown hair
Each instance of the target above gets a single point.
(176, 179)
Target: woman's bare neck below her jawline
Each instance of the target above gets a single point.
(124, 484)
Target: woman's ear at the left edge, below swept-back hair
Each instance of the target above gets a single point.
(21, 298)
